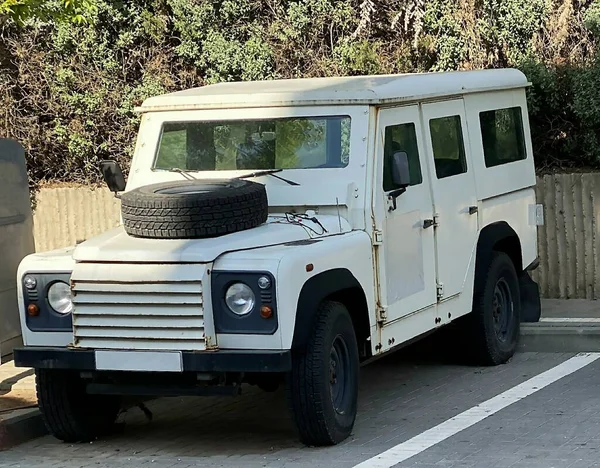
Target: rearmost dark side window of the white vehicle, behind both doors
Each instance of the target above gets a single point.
(502, 135)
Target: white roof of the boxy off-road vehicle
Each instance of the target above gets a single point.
(348, 90)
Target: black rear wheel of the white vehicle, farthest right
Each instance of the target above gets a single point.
(495, 321)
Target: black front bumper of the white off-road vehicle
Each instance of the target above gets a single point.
(206, 361)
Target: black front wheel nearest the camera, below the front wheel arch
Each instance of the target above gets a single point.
(324, 398)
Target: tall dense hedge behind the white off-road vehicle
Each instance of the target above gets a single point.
(67, 90)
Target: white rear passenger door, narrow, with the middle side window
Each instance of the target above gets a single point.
(454, 195)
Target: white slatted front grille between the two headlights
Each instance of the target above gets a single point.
(138, 313)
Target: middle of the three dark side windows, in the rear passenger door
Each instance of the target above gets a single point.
(448, 146)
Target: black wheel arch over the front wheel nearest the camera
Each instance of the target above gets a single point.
(339, 285)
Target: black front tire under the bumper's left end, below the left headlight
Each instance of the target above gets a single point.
(70, 414)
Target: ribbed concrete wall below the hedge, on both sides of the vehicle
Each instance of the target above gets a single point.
(568, 243)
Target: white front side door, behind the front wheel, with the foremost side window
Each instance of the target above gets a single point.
(407, 254)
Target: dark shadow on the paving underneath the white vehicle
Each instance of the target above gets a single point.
(259, 422)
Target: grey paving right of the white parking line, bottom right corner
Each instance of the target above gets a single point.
(559, 426)
